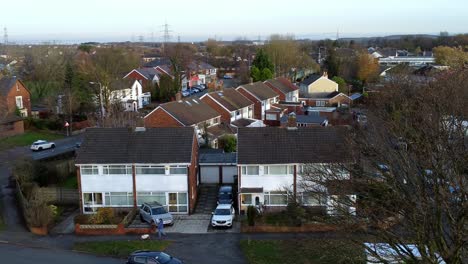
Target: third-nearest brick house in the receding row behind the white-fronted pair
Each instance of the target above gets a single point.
(262, 96)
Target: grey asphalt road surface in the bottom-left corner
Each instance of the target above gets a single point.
(20, 255)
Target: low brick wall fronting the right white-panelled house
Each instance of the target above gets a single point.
(288, 229)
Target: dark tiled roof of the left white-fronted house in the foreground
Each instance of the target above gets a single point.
(124, 145)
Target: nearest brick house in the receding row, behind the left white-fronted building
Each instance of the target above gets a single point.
(189, 112)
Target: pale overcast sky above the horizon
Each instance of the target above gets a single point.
(121, 20)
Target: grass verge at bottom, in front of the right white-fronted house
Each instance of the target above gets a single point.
(302, 251)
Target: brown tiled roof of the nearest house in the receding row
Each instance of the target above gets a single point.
(190, 111)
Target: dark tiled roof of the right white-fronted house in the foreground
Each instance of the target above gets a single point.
(274, 145)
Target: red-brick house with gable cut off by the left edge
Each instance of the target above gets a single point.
(14, 96)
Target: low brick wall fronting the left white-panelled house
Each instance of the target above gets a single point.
(119, 229)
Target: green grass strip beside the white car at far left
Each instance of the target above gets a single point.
(27, 139)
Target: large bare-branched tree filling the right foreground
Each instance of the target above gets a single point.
(409, 171)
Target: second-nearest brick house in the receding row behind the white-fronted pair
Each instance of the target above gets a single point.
(230, 104)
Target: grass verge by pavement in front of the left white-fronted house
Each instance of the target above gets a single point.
(120, 249)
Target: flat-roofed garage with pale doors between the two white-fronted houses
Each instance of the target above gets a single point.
(217, 167)
